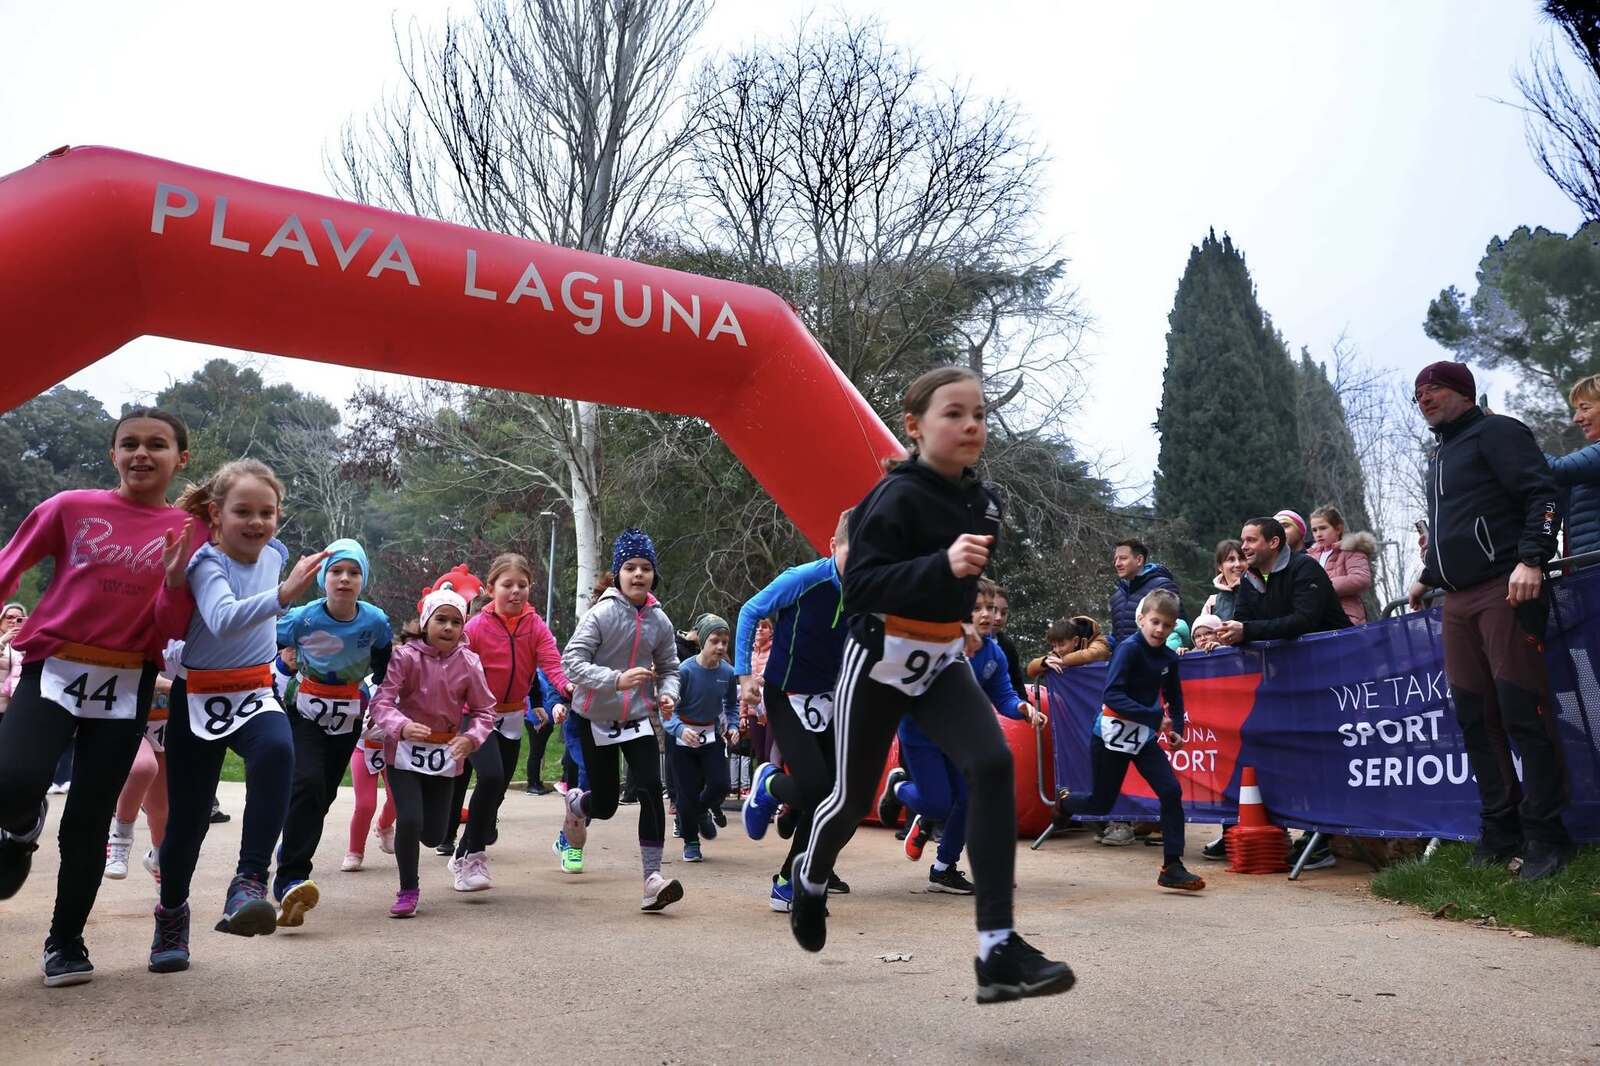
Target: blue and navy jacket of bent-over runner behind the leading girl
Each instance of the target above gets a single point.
(807, 606)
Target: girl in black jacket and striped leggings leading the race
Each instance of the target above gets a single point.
(918, 547)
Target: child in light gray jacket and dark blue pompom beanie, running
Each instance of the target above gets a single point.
(623, 663)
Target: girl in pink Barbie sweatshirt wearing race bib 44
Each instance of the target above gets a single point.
(90, 654)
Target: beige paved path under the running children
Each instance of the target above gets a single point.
(558, 969)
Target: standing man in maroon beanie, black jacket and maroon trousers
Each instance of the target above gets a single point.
(1492, 527)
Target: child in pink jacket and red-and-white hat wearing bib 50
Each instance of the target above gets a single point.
(431, 678)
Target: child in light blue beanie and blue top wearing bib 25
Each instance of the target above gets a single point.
(338, 641)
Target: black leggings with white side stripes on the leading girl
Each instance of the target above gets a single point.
(958, 716)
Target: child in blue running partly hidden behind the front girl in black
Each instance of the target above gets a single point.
(930, 785)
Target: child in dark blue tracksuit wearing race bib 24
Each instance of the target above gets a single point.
(1143, 671)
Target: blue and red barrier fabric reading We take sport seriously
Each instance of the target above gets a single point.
(1350, 732)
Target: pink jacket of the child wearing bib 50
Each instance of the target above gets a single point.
(431, 691)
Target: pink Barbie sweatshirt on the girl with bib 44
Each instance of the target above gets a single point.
(110, 590)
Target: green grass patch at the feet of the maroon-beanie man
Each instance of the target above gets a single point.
(1567, 905)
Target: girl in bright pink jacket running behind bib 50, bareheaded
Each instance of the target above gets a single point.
(513, 643)
